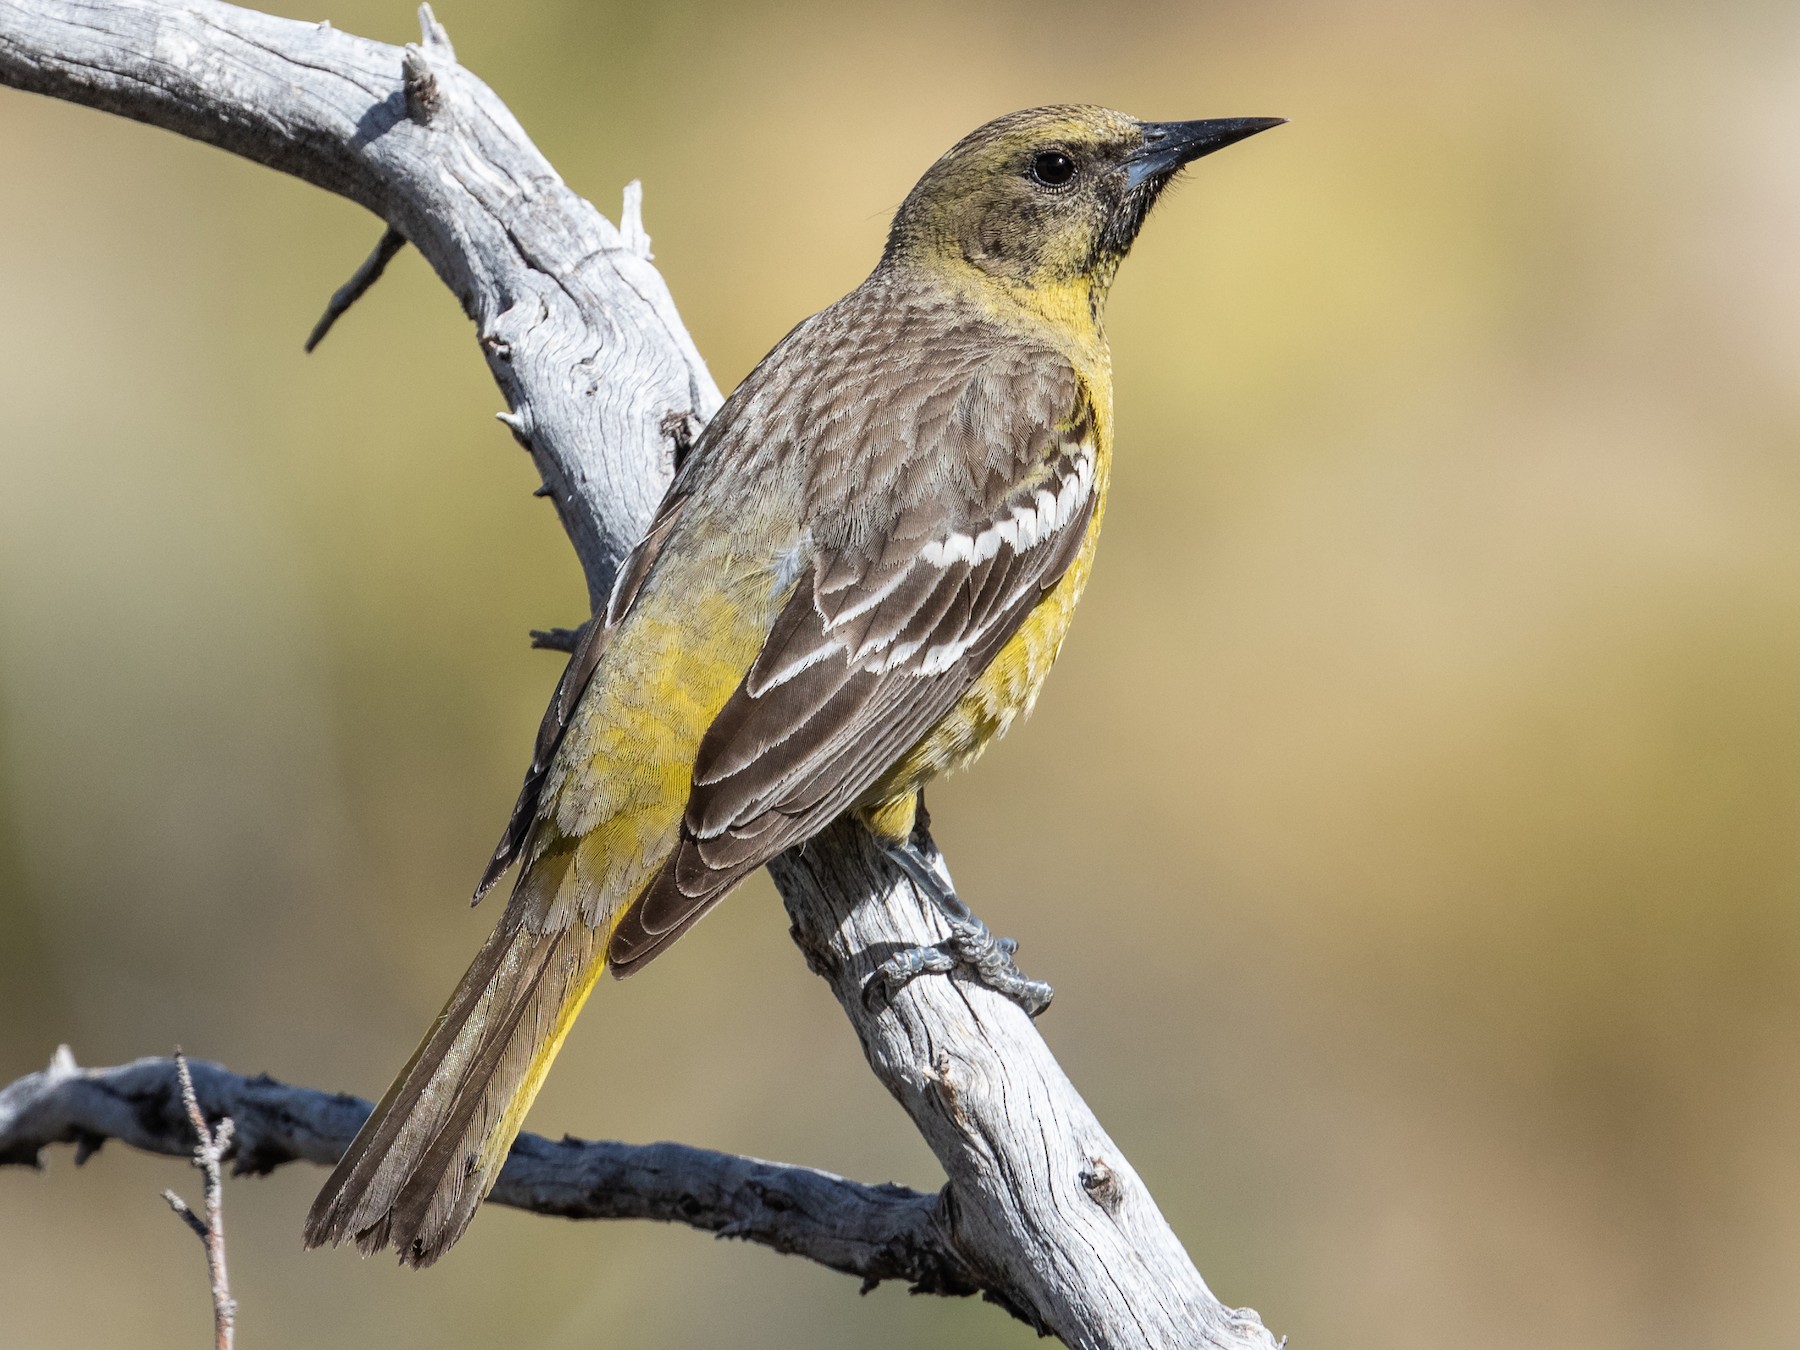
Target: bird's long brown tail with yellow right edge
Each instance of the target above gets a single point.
(433, 1149)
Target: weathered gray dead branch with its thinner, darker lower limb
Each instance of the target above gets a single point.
(1041, 1210)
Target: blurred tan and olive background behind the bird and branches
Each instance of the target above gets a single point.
(1412, 831)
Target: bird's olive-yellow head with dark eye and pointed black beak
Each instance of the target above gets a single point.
(1050, 199)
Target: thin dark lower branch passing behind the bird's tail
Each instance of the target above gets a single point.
(870, 1232)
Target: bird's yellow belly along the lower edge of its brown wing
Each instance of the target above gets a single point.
(1005, 690)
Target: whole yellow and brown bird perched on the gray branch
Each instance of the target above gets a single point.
(859, 577)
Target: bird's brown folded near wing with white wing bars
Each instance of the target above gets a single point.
(897, 618)
